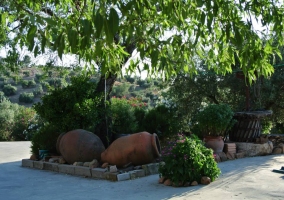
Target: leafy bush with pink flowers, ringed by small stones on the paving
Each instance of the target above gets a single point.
(188, 160)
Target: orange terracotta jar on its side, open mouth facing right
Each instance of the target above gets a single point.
(137, 149)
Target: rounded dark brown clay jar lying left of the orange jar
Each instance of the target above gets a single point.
(79, 146)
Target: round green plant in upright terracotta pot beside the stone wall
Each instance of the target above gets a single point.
(213, 123)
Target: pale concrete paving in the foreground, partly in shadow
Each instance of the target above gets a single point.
(247, 178)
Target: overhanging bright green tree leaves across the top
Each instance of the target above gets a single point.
(170, 35)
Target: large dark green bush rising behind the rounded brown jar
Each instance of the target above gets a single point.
(75, 106)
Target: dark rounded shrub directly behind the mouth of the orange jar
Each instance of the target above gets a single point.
(162, 121)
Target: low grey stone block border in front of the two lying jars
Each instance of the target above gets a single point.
(96, 173)
